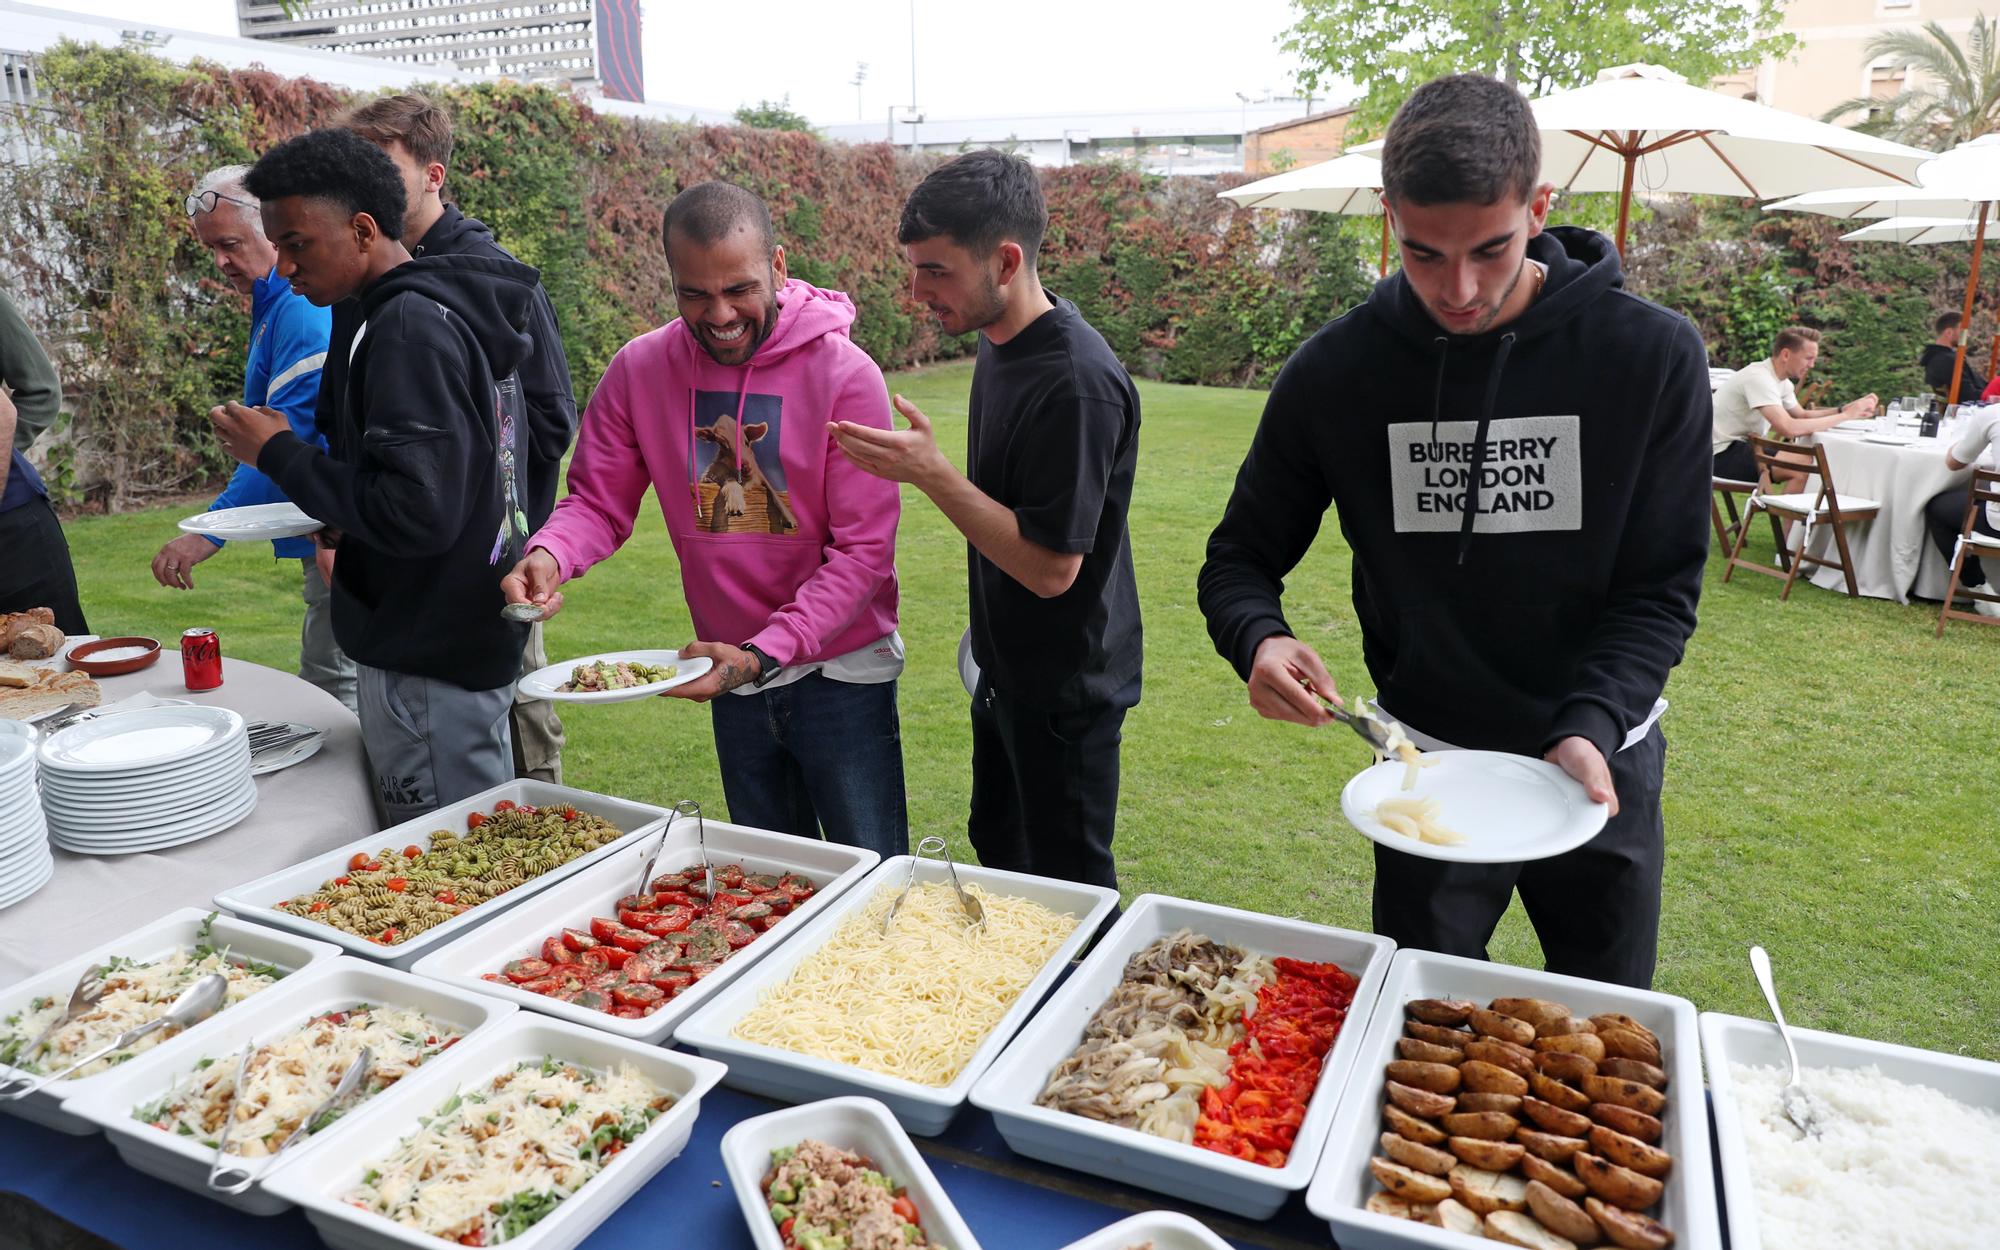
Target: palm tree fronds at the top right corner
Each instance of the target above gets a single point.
(1951, 93)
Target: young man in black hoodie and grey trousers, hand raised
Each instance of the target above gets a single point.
(423, 487)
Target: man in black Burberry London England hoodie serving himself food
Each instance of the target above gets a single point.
(1519, 459)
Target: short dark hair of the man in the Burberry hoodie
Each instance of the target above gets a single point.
(1463, 139)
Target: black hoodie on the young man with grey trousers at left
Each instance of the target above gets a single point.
(417, 477)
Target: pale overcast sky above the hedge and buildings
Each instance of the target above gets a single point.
(1011, 57)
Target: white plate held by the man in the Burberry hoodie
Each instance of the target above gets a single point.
(1509, 809)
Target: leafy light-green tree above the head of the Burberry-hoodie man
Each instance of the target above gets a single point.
(1541, 47)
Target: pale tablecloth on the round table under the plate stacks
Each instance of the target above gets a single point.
(301, 811)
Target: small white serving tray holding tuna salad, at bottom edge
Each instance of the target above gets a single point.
(853, 1123)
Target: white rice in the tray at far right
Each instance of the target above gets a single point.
(1897, 1167)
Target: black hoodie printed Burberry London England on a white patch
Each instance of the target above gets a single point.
(1585, 425)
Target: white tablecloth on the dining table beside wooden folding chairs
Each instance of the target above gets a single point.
(1893, 555)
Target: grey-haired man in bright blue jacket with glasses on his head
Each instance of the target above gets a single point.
(287, 353)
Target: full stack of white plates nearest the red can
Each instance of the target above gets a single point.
(147, 779)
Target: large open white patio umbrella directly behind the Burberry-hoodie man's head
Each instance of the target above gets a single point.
(1645, 127)
